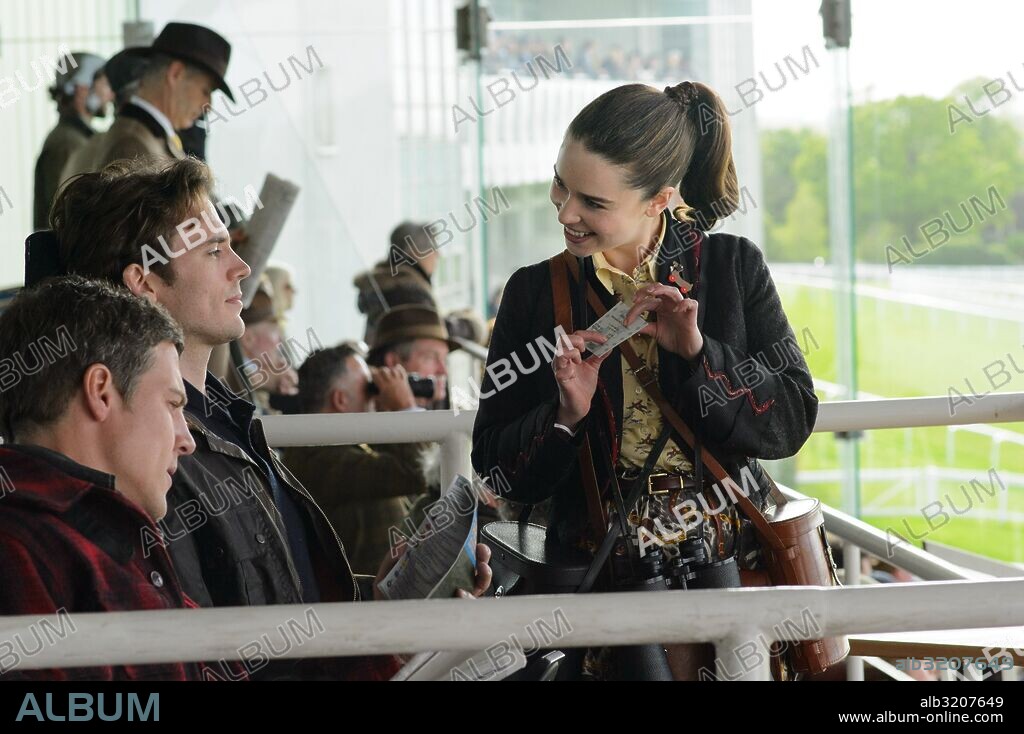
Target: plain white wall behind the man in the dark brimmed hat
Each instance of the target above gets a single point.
(331, 133)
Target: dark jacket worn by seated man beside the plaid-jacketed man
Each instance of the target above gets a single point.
(229, 541)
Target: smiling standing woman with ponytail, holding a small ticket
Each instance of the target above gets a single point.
(641, 179)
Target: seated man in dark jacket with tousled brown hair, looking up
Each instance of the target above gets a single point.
(242, 530)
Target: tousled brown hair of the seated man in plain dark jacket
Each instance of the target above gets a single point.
(104, 220)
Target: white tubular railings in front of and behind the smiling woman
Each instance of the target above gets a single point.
(735, 620)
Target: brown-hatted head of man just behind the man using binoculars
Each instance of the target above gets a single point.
(416, 338)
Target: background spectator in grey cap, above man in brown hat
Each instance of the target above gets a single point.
(403, 279)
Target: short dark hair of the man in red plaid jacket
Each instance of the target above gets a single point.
(53, 333)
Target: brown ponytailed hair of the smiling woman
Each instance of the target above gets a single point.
(679, 138)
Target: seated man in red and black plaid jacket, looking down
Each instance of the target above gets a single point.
(92, 412)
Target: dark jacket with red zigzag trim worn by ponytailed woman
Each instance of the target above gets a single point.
(751, 377)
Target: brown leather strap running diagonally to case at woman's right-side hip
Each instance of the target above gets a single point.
(650, 383)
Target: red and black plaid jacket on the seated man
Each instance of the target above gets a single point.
(69, 541)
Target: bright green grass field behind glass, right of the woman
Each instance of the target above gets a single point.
(910, 352)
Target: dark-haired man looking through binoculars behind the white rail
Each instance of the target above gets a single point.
(365, 490)
